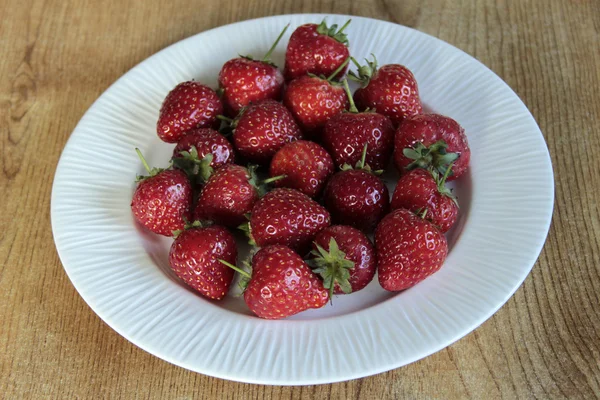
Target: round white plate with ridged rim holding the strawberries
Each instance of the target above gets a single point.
(123, 274)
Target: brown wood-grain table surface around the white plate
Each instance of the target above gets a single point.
(59, 56)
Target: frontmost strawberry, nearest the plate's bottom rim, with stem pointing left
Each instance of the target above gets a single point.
(280, 284)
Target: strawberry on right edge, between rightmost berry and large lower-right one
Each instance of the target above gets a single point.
(420, 191)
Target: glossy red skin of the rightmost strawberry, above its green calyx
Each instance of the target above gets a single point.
(428, 129)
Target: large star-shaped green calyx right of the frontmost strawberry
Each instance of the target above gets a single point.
(332, 266)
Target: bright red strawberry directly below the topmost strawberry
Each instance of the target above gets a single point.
(313, 101)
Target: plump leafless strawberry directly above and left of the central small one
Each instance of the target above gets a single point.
(264, 128)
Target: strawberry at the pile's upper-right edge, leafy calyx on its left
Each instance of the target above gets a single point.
(390, 90)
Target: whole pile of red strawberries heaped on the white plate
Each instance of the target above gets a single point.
(296, 152)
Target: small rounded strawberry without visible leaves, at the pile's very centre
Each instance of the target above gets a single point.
(305, 165)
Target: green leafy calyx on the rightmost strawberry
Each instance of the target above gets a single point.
(433, 158)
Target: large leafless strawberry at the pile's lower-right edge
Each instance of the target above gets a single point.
(409, 249)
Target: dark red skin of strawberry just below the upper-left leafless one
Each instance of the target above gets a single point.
(207, 141)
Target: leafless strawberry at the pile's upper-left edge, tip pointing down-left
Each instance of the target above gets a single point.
(190, 105)
